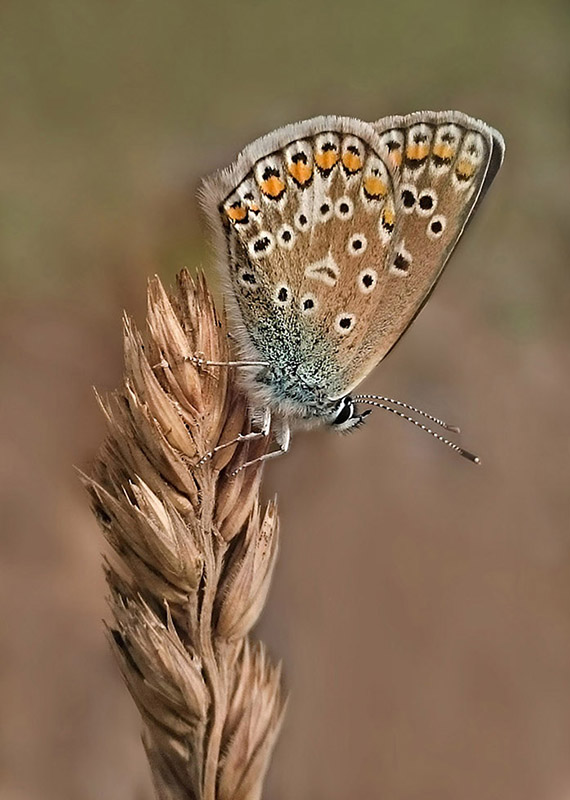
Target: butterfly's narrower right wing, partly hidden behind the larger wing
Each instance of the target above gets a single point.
(445, 163)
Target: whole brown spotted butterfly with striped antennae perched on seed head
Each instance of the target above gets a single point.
(331, 235)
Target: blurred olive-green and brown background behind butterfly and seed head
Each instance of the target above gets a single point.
(421, 606)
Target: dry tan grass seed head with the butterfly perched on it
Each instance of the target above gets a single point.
(194, 554)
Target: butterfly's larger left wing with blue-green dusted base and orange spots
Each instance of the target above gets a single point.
(305, 220)
